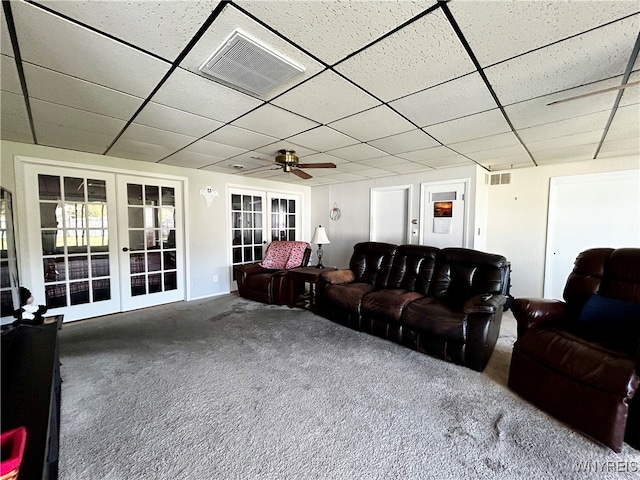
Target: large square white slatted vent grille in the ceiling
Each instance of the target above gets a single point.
(245, 64)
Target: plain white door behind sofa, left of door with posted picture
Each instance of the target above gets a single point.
(389, 217)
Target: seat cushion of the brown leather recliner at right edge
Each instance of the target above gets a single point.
(581, 360)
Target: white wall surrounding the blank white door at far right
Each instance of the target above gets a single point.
(517, 218)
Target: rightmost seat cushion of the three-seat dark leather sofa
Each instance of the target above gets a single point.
(435, 318)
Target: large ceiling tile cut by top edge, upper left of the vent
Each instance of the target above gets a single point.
(160, 27)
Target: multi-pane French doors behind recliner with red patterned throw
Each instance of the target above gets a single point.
(257, 218)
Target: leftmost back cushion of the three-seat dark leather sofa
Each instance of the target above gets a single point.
(371, 262)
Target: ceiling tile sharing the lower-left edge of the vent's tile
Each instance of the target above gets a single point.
(195, 94)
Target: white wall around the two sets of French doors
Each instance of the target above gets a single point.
(206, 240)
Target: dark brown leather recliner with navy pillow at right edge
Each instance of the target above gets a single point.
(579, 359)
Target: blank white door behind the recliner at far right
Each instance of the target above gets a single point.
(589, 211)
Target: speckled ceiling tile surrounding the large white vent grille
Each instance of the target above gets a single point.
(231, 19)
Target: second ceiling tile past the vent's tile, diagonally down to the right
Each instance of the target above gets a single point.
(373, 124)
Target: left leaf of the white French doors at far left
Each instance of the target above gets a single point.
(72, 261)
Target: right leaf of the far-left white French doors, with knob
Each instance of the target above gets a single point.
(151, 241)
